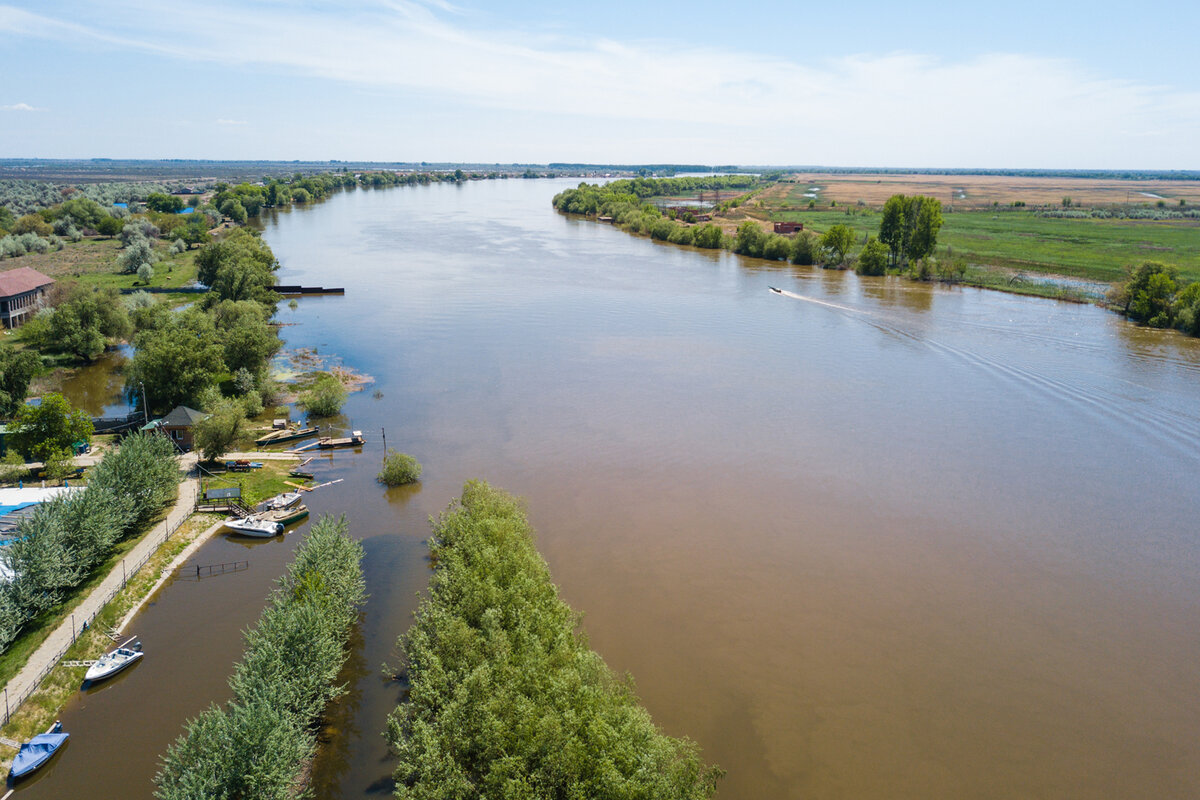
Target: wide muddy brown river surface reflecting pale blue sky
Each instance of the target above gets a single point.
(863, 539)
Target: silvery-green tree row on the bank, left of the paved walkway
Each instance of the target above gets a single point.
(62, 544)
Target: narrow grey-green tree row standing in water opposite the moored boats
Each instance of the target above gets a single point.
(261, 742)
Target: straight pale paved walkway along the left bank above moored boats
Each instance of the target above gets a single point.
(47, 655)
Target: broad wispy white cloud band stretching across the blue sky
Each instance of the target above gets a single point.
(897, 109)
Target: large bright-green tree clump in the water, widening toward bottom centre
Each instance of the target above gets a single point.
(506, 697)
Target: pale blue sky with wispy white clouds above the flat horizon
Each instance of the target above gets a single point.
(1021, 85)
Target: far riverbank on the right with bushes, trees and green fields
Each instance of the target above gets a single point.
(1064, 252)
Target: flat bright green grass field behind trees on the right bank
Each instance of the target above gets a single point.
(1094, 250)
